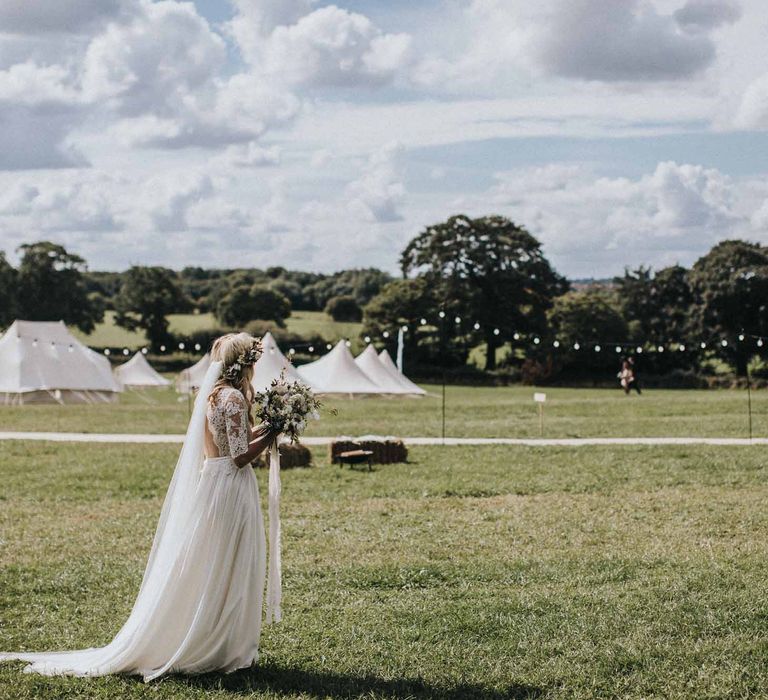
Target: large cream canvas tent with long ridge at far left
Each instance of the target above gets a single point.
(42, 362)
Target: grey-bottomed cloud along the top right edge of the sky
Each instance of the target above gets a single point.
(512, 42)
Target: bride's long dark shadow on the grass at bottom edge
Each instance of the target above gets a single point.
(270, 678)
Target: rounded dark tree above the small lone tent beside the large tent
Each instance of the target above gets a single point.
(146, 297)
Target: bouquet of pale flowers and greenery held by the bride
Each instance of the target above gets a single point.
(286, 406)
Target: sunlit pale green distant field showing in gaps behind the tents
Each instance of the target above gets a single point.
(303, 322)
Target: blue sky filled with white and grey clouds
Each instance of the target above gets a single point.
(320, 136)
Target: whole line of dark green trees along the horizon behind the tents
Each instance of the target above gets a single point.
(488, 272)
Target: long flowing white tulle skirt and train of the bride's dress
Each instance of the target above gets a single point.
(208, 615)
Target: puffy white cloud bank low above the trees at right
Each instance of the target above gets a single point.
(594, 225)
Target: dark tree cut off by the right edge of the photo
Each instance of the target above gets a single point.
(730, 284)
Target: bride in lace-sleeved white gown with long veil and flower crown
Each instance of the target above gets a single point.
(199, 607)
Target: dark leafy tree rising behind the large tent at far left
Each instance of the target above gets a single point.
(51, 287)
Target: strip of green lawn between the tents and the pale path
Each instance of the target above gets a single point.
(470, 411)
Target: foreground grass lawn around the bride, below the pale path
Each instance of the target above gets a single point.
(467, 573)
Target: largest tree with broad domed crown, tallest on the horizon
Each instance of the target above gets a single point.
(489, 271)
